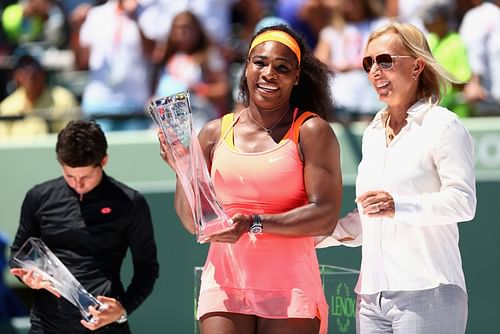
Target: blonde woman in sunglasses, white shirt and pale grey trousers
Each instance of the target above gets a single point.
(415, 183)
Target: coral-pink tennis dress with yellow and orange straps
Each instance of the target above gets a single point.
(266, 275)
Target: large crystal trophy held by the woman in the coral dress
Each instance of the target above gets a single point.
(173, 116)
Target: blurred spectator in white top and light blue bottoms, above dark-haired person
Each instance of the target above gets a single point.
(113, 47)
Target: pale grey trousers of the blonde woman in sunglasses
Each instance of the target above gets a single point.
(442, 310)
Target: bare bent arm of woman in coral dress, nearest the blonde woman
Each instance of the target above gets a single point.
(323, 185)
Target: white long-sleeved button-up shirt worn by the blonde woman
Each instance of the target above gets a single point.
(429, 170)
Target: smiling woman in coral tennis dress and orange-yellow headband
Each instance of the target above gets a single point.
(275, 168)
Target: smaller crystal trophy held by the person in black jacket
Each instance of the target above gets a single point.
(36, 256)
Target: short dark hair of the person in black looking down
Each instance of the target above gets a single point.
(81, 143)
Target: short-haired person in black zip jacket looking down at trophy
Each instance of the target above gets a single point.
(88, 220)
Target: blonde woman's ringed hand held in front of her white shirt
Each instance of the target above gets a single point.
(377, 203)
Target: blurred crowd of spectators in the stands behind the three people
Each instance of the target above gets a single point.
(106, 60)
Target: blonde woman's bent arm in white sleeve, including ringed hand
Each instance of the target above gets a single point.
(456, 199)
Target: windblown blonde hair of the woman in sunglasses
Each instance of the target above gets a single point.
(433, 78)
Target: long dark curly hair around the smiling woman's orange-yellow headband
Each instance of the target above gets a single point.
(313, 90)
